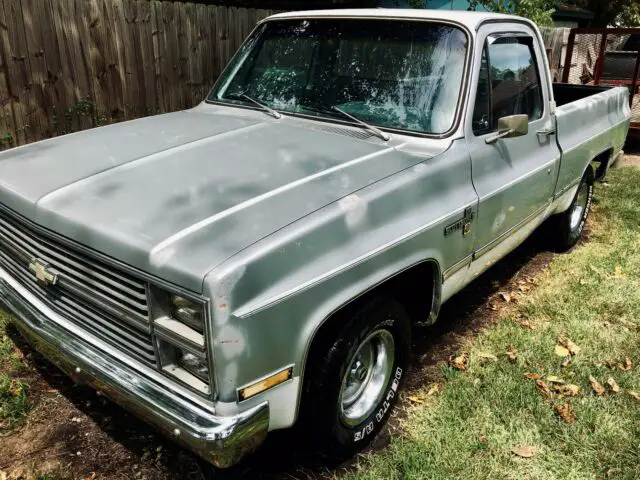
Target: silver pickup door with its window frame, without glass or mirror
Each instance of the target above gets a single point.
(513, 177)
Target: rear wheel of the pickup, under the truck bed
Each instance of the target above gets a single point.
(568, 225)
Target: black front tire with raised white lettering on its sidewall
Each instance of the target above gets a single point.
(324, 417)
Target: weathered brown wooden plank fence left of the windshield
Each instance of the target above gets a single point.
(66, 65)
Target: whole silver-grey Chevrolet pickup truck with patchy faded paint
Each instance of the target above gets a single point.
(260, 259)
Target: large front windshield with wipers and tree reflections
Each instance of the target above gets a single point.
(395, 74)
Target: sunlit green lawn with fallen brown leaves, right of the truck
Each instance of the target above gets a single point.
(468, 431)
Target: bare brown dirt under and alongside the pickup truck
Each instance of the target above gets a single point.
(78, 434)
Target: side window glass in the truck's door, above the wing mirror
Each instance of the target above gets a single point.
(513, 85)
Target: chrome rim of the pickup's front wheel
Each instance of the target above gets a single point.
(366, 377)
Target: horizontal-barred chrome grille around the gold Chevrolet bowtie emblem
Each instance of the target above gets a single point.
(109, 303)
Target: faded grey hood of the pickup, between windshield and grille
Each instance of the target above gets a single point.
(175, 195)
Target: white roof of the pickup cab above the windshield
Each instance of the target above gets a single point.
(469, 19)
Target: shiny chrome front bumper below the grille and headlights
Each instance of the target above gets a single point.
(223, 441)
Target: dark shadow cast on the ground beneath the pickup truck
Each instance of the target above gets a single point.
(281, 456)
